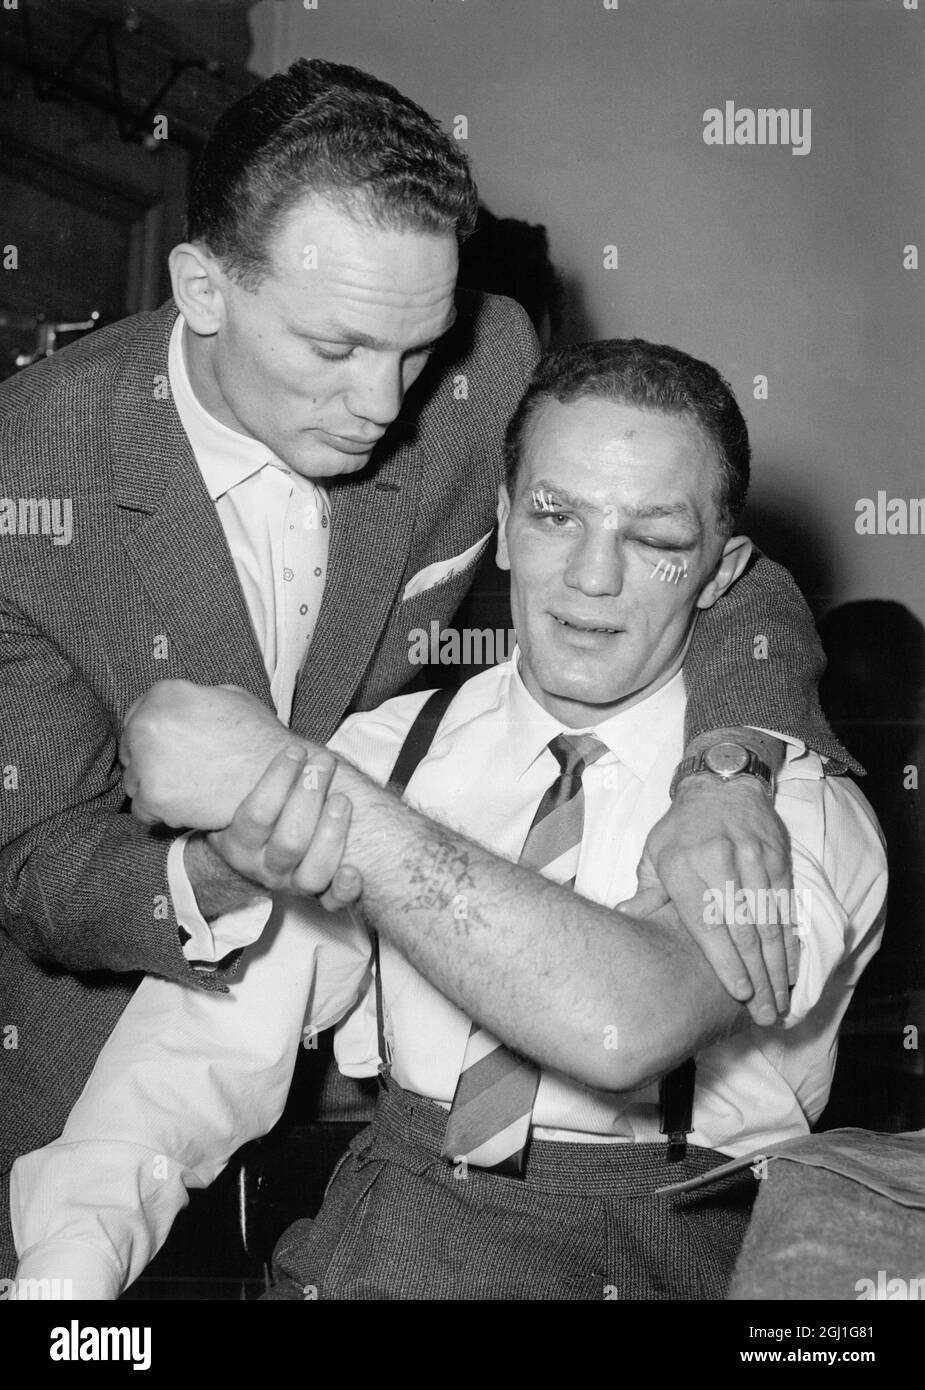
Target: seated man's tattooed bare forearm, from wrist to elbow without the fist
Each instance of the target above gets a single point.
(552, 974)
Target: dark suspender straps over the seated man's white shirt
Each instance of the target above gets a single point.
(675, 1090)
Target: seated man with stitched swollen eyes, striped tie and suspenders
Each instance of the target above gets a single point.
(536, 1040)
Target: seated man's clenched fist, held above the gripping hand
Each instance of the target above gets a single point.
(193, 753)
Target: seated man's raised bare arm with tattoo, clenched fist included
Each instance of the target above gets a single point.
(465, 918)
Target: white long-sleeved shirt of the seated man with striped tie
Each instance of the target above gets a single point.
(187, 1078)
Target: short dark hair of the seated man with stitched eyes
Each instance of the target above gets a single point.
(631, 372)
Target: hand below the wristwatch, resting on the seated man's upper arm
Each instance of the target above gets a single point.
(717, 840)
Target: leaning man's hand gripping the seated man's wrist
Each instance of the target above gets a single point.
(290, 836)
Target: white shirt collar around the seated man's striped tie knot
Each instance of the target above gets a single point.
(634, 736)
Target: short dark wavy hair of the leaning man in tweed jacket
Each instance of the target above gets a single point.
(322, 129)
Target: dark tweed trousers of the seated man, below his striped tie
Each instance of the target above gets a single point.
(399, 1223)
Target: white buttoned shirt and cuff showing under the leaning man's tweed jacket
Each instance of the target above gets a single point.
(277, 526)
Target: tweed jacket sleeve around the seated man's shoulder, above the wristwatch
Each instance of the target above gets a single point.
(756, 661)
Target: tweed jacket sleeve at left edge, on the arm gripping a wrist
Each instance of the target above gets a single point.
(83, 885)
